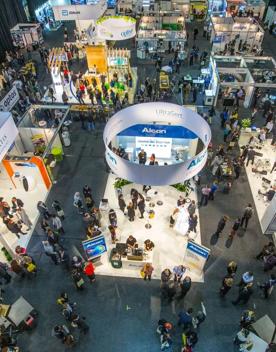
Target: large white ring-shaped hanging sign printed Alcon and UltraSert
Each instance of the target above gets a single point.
(146, 115)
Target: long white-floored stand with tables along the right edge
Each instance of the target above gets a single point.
(261, 179)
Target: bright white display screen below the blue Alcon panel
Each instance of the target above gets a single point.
(161, 147)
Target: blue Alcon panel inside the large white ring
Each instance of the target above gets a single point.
(161, 131)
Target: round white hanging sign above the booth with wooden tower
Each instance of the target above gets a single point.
(116, 27)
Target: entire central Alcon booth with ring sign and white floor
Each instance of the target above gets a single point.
(162, 236)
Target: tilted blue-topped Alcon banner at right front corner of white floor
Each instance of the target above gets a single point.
(196, 256)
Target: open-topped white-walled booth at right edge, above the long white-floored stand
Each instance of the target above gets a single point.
(229, 74)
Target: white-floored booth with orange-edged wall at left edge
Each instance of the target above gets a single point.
(29, 164)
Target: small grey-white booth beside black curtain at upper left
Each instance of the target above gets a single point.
(26, 35)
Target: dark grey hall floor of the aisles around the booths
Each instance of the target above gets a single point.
(123, 312)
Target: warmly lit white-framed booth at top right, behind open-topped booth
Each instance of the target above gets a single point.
(237, 35)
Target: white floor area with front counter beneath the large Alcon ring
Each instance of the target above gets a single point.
(169, 242)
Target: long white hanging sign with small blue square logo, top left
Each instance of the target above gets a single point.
(79, 12)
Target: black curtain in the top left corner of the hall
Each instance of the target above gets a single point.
(11, 13)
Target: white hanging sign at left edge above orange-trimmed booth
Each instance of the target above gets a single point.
(8, 133)
